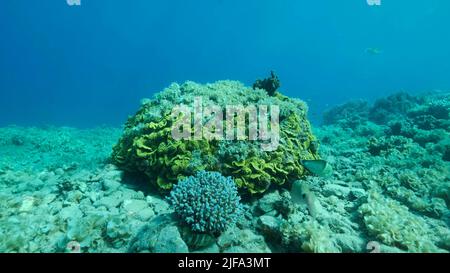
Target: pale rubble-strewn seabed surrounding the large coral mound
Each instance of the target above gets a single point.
(57, 189)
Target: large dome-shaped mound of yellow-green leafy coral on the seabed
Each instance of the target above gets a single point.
(147, 146)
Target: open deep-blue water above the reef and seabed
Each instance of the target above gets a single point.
(91, 64)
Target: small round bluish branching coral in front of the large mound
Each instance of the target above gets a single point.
(207, 202)
